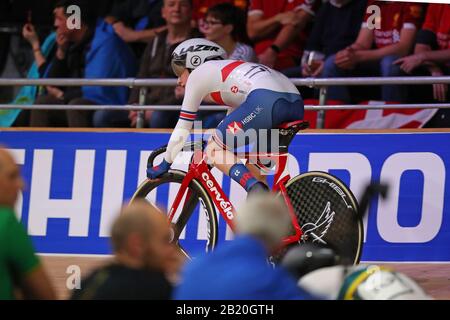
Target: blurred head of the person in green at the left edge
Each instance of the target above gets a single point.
(10, 179)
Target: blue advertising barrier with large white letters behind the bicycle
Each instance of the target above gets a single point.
(77, 181)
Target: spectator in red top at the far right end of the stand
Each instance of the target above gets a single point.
(432, 56)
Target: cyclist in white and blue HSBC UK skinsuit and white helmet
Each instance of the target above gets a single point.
(258, 97)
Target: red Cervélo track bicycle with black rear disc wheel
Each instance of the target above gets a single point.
(322, 208)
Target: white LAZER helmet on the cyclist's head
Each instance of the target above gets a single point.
(194, 52)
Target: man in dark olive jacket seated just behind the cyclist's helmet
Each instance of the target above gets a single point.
(155, 63)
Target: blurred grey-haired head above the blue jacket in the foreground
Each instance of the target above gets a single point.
(265, 217)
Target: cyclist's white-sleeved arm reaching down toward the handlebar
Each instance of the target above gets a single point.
(197, 87)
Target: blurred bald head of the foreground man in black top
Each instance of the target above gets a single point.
(141, 237)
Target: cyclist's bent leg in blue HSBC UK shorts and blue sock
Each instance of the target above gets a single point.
(263, 110)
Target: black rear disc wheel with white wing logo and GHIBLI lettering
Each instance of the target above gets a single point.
(327, 213)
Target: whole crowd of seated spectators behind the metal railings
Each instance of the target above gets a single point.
(301, 38)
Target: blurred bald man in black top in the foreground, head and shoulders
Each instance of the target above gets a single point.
(143, 259)
